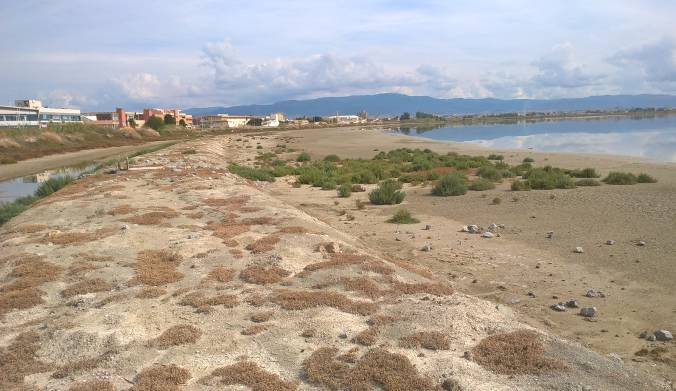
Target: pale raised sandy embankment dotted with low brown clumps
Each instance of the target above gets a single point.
(97, 279)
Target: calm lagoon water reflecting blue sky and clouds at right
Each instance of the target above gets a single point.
(648, 137)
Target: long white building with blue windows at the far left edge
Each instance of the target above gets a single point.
(29, 112)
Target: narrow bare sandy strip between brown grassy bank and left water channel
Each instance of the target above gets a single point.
(34, 166)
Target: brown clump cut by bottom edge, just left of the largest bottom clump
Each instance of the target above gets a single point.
(250, 375)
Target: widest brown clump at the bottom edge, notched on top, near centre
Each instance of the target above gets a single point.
(376, 368)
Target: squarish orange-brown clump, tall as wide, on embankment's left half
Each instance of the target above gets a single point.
(158, 267)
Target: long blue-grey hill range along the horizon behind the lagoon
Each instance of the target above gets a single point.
(395, 104)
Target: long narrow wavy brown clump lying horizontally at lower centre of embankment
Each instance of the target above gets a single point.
(300, 300)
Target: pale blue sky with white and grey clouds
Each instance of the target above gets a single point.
(101, 54)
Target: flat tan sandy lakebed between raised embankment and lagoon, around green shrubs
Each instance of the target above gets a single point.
(638, 282)
